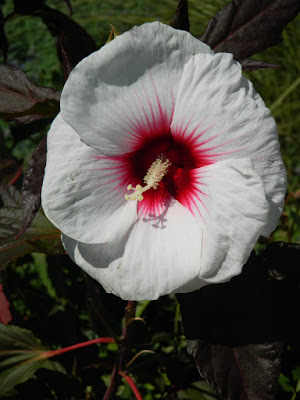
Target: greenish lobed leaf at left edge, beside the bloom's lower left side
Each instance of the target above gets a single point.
(41, 236)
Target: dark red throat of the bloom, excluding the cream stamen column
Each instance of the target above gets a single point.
(181, 179)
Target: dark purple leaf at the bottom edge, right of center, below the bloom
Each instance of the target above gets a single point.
(245, 372)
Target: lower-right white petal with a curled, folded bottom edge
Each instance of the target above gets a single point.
(233, 212)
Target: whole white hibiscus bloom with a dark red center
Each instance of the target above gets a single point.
(163, 166)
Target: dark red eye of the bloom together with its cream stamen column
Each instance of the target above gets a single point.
(164, 166)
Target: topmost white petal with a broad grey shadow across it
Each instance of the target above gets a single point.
(126, 91)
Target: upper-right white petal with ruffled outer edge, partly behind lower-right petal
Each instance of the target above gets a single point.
(218, 111)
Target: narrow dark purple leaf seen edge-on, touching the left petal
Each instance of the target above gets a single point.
(32, 185)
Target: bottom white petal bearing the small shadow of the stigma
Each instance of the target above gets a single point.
(155, 257)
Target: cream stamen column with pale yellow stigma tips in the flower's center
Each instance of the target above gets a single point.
(158, 169)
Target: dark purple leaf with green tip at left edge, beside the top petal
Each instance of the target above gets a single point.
(22, 100)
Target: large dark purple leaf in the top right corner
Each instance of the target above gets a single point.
(247, 27)
